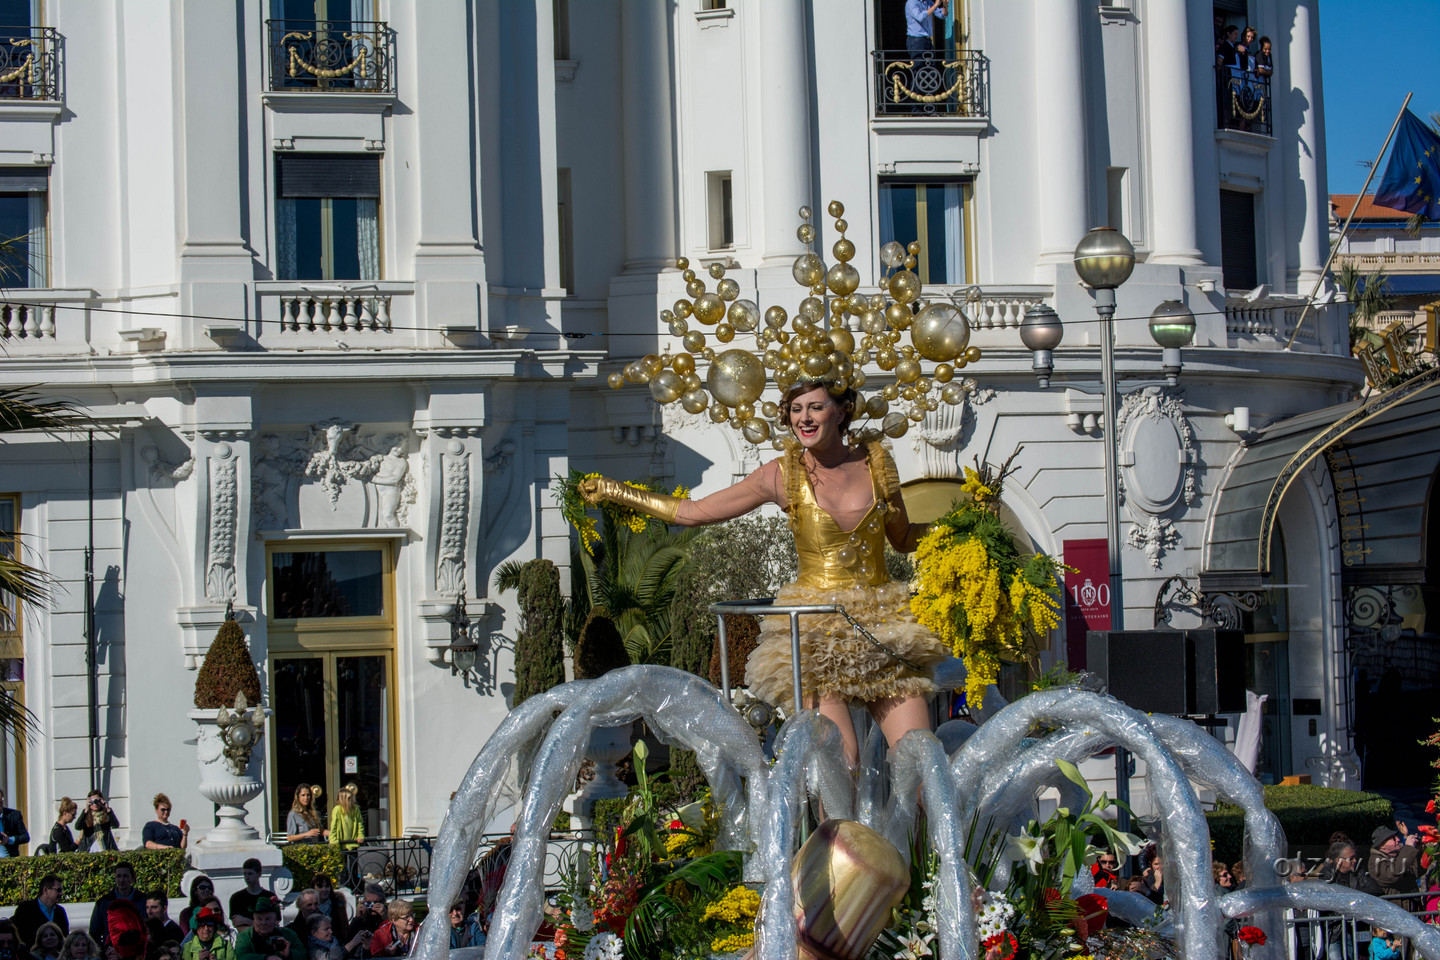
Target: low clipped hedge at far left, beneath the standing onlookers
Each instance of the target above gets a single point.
(89, 877)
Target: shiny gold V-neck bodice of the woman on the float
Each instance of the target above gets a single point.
(829, 555)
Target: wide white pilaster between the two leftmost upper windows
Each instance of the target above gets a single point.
(215, 261)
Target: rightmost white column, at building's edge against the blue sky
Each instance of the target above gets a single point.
(1302, 109)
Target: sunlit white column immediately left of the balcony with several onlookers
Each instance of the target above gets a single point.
(1173, 137)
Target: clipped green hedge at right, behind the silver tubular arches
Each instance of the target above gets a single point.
(1310, 815)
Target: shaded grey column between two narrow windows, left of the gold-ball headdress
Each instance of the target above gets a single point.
(649, 136)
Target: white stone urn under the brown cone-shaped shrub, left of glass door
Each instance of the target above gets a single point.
(230, 756)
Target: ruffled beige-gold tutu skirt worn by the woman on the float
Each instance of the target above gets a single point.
(839, 661)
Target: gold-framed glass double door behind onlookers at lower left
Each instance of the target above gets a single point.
(333, 729)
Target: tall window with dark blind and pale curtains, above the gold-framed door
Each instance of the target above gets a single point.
(328, 218)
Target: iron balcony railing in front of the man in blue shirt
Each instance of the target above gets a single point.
(932, 84)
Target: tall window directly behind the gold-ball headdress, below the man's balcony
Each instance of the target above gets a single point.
(937, 215)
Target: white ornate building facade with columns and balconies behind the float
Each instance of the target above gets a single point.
(343, 329)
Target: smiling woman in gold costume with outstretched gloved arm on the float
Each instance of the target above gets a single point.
(843, 500)
